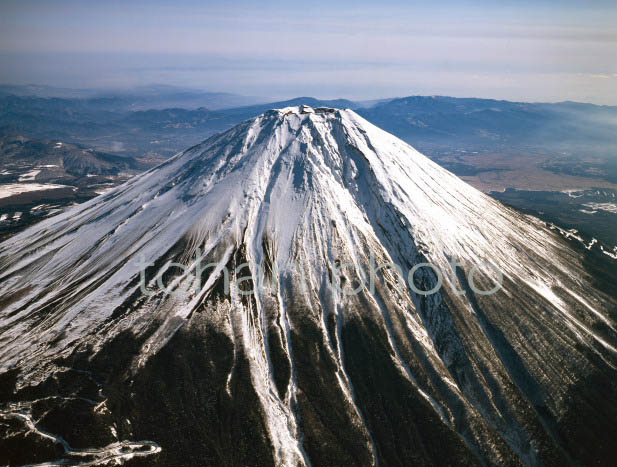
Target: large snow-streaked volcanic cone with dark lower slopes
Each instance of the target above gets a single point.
(131, 331)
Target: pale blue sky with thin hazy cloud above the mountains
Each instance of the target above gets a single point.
(535, 51)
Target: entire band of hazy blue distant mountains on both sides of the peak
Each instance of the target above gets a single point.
(167, 121)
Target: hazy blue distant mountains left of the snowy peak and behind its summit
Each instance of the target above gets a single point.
(107, 125)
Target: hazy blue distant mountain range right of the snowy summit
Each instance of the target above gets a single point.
(480, 123)
